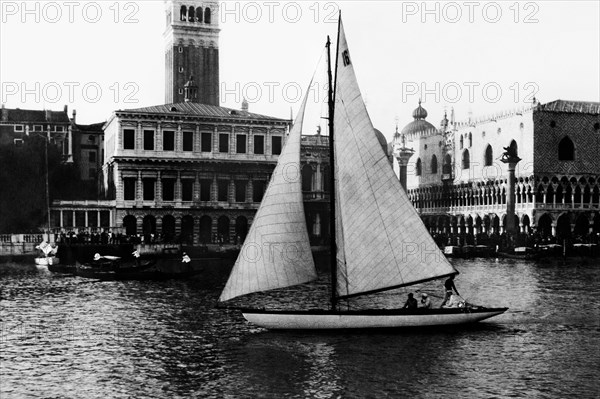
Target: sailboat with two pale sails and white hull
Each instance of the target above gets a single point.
(378, 241)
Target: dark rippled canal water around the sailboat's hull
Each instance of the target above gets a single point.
(68, 337)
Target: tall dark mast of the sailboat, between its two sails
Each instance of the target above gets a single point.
(333, 248)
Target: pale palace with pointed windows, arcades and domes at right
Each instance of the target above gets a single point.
(459, 185)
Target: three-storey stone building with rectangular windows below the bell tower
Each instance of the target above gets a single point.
(189, 170)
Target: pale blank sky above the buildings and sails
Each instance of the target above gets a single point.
(478, 57)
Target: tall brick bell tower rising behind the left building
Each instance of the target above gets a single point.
(192, 49)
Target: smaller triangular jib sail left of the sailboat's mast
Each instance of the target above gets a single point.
(276, 252)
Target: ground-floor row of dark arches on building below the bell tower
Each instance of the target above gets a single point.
(203, 230)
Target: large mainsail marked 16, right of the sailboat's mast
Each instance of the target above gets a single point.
(385, 243)
